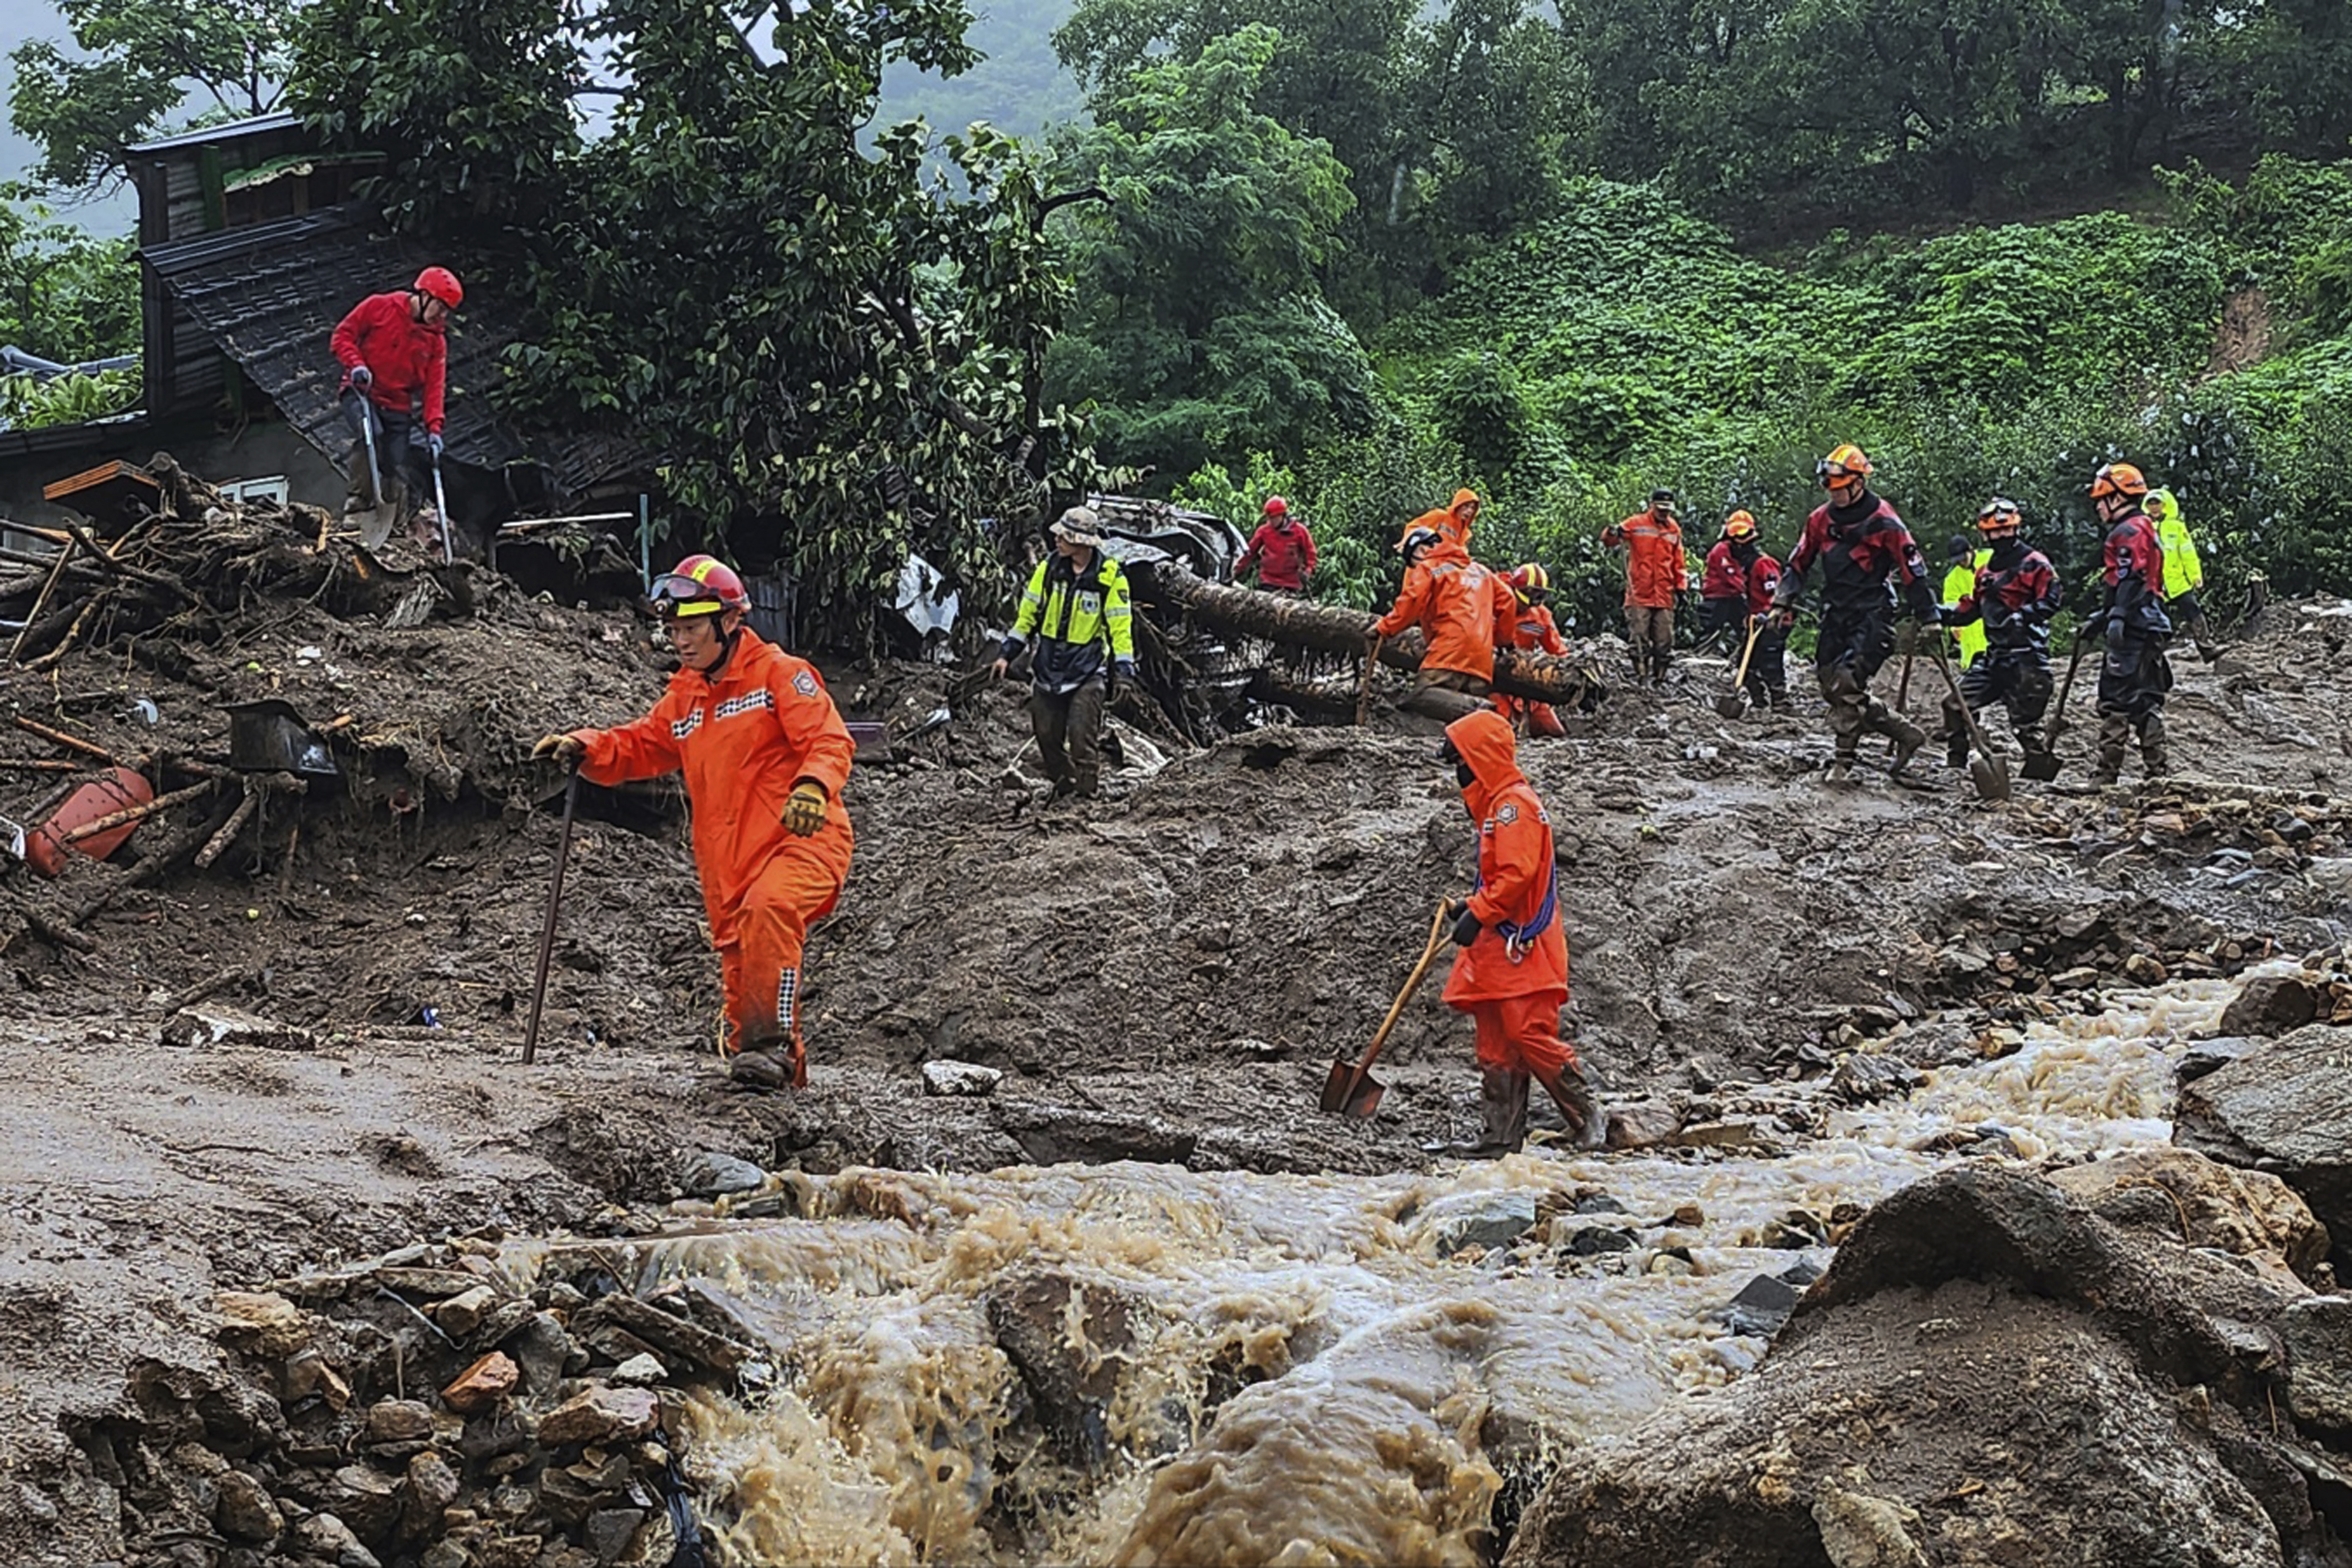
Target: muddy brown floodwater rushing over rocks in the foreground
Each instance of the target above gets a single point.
(1391, 1391)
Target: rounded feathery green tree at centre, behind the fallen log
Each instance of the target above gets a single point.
(1201, 330)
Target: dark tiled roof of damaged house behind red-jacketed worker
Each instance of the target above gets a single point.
(272, 295)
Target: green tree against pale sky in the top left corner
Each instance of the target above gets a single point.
(140, 62)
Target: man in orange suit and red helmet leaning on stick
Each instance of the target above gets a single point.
(766, 756)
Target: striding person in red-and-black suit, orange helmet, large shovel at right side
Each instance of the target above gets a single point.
(1864, 554)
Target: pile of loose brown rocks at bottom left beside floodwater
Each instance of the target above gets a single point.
(422, 1414)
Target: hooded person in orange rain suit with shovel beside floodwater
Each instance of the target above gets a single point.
(1514, 965)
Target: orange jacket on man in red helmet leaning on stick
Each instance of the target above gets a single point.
(742, 742)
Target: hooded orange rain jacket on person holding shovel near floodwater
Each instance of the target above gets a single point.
(1521, 949)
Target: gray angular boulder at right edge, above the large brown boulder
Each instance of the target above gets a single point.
(2285, 1108)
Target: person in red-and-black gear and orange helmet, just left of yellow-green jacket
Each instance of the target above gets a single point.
(2134, 676)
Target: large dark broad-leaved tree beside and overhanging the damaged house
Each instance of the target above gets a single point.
(838, 356)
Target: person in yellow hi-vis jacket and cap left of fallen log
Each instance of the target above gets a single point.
(1076, 605)
